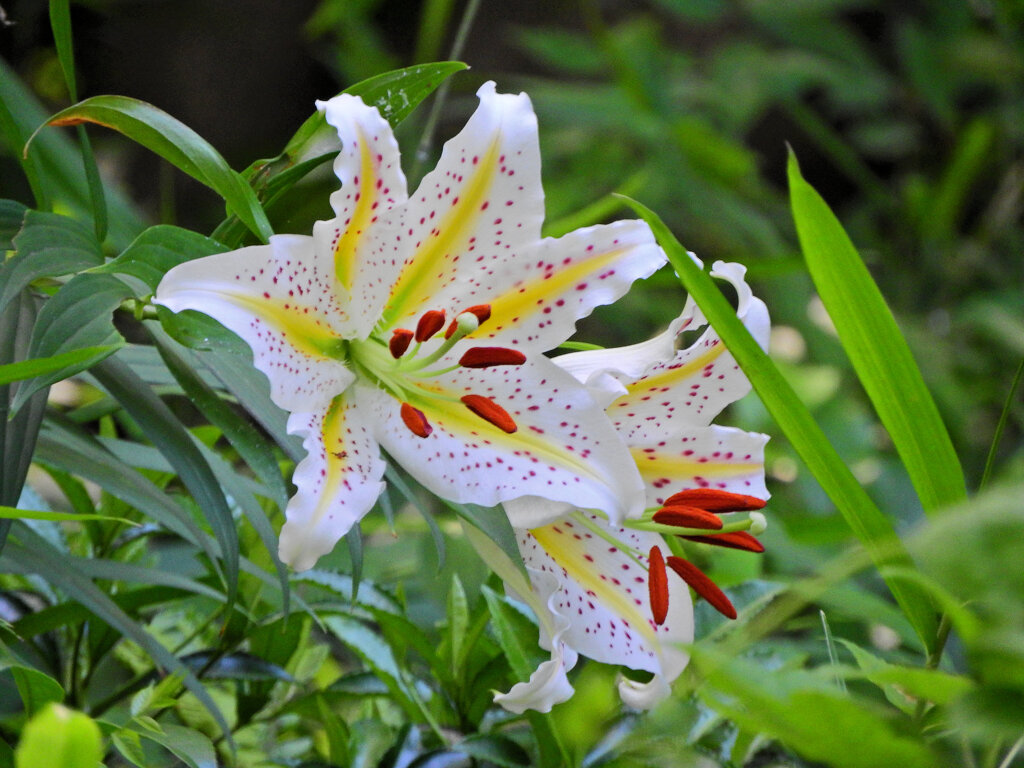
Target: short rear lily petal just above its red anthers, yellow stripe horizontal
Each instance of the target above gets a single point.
(721, 458)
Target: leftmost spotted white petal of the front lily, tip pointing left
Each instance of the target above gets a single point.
(279, 300)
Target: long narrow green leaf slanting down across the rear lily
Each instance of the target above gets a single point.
(872, 528)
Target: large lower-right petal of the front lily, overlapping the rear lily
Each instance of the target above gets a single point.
(565, 448)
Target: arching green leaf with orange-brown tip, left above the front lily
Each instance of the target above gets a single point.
(175, 142)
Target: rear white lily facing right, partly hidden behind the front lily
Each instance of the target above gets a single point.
(615, 600)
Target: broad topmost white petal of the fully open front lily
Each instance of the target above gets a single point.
(484, 199)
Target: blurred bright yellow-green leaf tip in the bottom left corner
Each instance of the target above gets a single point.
(60, 737)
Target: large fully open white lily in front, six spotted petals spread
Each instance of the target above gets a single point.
(350, 327)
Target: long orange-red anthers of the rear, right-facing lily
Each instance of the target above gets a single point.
(698, 508)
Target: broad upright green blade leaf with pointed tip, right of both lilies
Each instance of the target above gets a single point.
(877, 350)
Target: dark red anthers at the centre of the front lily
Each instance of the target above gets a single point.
(430, 324)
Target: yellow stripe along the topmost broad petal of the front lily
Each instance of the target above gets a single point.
(424, 273)
